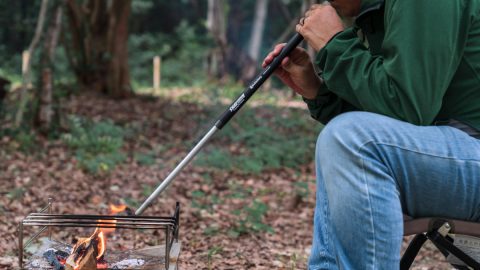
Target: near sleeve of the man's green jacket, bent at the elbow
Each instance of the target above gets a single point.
(421, 50)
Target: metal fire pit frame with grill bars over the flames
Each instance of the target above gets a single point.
(46, 220)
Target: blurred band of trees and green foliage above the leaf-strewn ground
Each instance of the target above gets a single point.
(197, 40)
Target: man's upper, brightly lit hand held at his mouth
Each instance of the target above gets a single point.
(319, 25)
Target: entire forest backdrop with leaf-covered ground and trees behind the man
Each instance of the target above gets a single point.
(84, 120)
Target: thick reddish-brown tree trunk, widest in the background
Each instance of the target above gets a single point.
(97, 48)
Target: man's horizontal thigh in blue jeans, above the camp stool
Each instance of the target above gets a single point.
(436, 168)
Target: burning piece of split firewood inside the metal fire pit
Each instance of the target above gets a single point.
(84, 255)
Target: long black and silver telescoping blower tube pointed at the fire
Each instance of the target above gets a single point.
(226, 116)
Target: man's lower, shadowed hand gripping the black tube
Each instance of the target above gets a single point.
(296, 71)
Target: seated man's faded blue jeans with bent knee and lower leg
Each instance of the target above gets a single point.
(370, 170)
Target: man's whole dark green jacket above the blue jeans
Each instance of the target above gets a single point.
(413, 60)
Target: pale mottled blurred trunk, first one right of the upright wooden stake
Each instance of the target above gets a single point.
(216, 24)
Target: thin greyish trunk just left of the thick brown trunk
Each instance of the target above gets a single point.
(44, 114)
